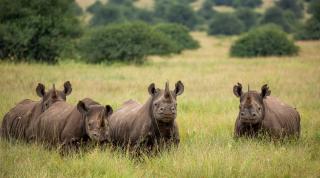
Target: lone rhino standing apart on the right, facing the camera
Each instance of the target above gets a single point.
(261, 113)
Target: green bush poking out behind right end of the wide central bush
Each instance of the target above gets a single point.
(178, 34)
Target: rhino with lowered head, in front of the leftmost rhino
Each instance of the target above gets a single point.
(64, 124)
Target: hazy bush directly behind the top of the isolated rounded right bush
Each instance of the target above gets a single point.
(285, 19)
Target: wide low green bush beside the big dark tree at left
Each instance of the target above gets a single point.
(129, 42)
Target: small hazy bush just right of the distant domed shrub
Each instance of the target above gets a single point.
(248, 16)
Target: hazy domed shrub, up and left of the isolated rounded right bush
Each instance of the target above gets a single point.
(225, 24)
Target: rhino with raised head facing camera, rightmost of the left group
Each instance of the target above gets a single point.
(144, 126)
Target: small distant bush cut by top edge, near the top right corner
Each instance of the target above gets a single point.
(295, 6)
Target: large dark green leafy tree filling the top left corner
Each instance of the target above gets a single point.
(35, 29)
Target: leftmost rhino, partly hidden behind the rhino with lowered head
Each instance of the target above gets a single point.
(16, 123)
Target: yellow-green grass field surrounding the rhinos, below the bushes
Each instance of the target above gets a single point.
(206, 114)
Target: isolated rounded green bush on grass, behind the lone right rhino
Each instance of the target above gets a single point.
(264, 41)
